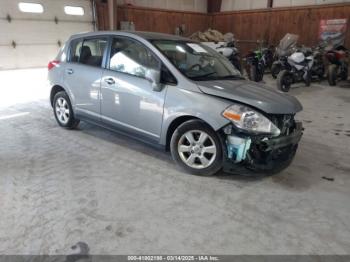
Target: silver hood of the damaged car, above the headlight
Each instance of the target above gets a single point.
(252, 94)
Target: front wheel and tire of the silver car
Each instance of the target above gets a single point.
(196, 148)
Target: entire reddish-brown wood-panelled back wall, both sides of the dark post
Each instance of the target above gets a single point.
(269, 25)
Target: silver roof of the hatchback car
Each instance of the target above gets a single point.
(142, 34)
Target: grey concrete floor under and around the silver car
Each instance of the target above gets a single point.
(58, 187)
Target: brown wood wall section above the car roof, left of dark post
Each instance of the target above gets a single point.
(164, 21)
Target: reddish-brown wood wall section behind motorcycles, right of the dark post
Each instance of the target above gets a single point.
(271, 25)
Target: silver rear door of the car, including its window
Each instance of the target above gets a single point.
(83, 73)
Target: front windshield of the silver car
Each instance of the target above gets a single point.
(197, 61)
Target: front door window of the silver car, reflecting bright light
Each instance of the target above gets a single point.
(131, 57)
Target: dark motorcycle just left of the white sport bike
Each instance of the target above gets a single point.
(257, 61)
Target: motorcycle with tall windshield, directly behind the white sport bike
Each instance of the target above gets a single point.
(285, 48)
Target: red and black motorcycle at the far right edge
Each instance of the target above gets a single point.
(338, 67)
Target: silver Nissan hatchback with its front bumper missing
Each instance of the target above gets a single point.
(177, 94)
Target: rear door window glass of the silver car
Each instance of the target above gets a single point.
(88, 52)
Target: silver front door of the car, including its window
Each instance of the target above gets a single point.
(128, 100)
